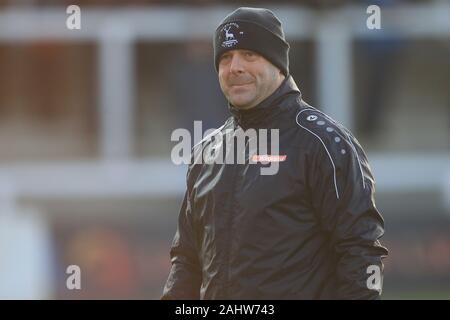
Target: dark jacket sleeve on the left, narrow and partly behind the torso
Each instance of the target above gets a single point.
(184, 279)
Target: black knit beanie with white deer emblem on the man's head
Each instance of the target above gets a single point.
(255, 29)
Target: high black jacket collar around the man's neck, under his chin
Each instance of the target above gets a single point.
(266, 109)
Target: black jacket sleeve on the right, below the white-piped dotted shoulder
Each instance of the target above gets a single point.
(343, 196)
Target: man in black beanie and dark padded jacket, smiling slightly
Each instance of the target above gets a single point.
(310, 231)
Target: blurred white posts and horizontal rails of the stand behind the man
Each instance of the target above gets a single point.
(116, 30)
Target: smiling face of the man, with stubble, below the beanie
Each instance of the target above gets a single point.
(247, 78)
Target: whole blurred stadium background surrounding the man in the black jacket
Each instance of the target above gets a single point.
(86, 117)
